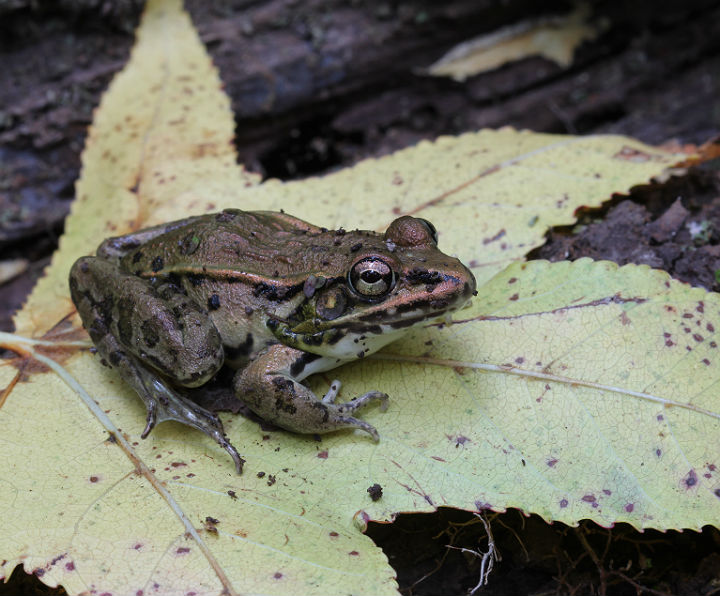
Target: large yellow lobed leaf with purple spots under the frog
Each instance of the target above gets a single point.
(88, 504)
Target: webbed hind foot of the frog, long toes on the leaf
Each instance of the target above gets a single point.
(163, 404)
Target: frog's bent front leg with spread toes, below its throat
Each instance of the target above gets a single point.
(269, 386)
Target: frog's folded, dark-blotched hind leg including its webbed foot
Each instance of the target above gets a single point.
(151, 335)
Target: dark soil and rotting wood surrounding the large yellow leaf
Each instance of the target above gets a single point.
(317, 86)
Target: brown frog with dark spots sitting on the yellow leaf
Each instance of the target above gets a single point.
(268, 294)
